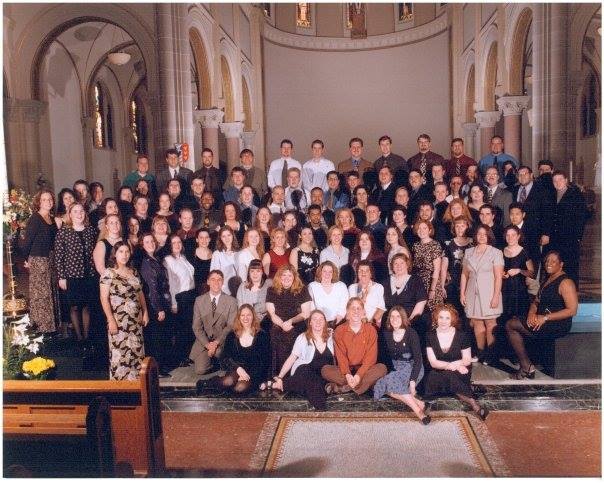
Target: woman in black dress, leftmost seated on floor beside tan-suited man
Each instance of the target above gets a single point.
(246, 353)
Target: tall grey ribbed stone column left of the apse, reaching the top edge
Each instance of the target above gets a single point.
(175, 77)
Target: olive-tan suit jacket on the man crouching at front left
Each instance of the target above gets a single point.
(208, 327)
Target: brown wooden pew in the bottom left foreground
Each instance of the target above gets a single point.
(46, 408)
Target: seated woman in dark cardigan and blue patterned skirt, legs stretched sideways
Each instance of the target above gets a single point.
(404, 361)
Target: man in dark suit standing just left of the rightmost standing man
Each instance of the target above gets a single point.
(537, 203)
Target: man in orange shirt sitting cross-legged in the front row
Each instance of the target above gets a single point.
(356, 348)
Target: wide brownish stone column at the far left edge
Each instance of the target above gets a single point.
(24, 162)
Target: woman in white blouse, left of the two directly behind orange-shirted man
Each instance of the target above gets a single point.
(329, 294)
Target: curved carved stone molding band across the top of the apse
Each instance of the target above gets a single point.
(339, 43)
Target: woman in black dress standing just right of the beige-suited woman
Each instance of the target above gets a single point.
(517, 266)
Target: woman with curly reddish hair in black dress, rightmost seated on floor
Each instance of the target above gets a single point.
(449, 353)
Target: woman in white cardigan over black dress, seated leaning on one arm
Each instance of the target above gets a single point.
(312, 350)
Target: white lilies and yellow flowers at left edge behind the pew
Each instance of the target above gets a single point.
(21, 343)
